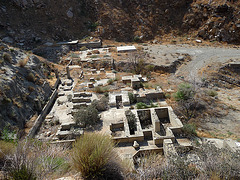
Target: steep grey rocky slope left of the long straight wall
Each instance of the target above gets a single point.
(23, 86)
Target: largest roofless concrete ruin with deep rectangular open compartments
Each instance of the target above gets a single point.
(155, 130)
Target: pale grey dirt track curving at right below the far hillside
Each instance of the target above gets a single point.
(201, 56)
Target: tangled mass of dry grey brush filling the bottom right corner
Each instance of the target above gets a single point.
(203, 162)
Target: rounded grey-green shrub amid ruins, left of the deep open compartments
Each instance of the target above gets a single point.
(87, 116)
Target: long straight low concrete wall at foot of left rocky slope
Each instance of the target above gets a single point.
(43, 114)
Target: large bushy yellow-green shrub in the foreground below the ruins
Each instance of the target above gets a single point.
(91, 154)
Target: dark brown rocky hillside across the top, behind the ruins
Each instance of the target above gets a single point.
(28, 23)
